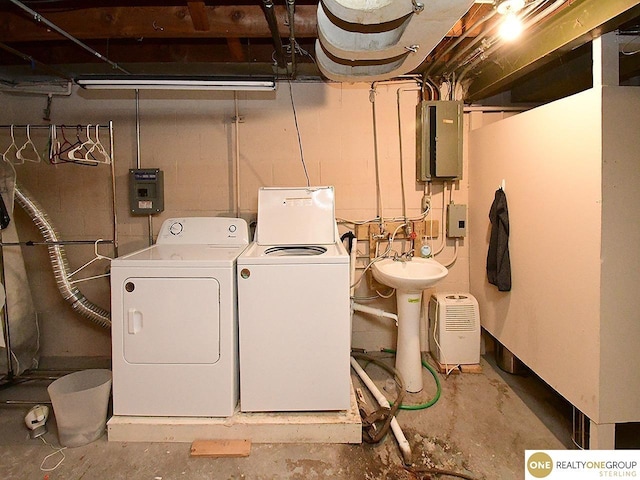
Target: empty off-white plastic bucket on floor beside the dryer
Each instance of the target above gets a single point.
(80, 401)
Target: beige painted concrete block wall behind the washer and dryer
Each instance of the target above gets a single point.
(191, 137)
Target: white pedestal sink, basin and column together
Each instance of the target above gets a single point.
(409, 278)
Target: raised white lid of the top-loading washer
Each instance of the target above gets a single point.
(296, 216)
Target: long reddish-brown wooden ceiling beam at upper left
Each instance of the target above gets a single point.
(246, 21)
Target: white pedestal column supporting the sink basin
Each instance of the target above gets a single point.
(408, 358)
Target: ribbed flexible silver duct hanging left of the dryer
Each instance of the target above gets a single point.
(59, 261)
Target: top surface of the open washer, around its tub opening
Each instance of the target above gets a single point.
(257, 254)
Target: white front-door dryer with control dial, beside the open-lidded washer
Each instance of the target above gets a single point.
(174, 321)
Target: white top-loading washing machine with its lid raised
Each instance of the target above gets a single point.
(294, 306)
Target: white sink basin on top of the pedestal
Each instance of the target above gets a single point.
(412, 275)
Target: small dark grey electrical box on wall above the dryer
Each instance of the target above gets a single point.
(146, 191)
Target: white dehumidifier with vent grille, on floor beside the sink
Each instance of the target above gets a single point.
(454, 328)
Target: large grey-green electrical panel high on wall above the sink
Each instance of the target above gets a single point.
(439, 140)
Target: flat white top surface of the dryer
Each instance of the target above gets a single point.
(172, 255)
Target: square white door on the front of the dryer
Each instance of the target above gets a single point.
(171, 320)
